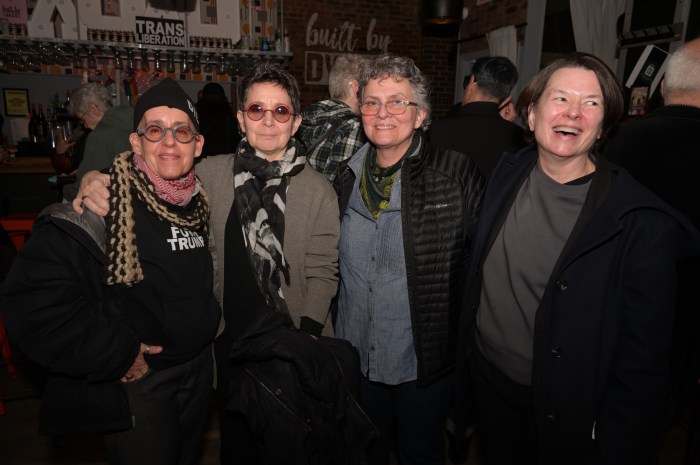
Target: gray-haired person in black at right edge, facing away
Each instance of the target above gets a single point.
(661, 151)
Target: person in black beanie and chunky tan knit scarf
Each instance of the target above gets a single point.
(122, 314)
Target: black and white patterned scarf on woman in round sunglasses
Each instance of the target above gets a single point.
(260, 191)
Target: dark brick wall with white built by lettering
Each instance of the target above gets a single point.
(400, 21)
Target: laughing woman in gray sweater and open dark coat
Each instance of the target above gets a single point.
(567, 320)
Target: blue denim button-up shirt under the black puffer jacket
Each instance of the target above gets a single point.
(373, 308)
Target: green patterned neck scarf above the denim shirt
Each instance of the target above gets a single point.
(376, 182)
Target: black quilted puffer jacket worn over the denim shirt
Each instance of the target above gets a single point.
(436, 246)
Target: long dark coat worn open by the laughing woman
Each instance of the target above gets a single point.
(603, 329)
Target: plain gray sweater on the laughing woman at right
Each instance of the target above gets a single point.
(518, 267)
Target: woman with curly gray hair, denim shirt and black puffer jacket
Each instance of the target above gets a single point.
(407, 214)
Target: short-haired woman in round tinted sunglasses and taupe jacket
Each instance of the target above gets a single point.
(274, 234)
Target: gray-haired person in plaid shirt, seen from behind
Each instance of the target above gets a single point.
(332, 129)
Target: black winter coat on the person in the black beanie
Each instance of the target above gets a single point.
(56, 308)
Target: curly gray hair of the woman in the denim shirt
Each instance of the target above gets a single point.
(399, 68)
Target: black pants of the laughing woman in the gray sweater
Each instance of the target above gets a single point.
(505, 420)
